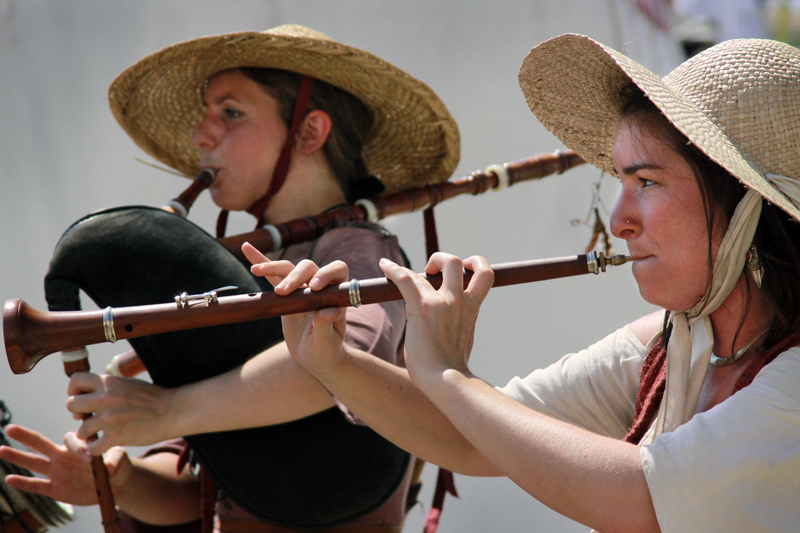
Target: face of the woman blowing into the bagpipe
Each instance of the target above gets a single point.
(241, 136)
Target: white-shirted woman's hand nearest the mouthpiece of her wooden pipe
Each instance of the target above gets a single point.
(441, 323)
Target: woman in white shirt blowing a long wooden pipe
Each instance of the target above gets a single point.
(685, 420)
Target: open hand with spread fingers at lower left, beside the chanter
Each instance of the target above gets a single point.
(67, 468)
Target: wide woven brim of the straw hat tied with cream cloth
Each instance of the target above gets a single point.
(572, 84)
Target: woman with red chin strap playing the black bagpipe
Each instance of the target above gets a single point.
(292, 123)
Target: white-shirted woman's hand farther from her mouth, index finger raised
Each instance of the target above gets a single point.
(315, 339)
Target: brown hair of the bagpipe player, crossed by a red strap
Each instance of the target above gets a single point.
(351, 120)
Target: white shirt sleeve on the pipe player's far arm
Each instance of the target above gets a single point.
(594, 389)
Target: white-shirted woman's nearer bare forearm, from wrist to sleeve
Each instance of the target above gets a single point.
(592, 479)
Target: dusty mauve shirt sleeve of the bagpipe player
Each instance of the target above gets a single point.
(375, 328)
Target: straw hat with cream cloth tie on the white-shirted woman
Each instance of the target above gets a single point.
(739, 102)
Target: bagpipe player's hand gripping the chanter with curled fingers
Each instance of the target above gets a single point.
(128, 412)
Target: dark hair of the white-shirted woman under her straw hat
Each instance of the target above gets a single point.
(777, 236)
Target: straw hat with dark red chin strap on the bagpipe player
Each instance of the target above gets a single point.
(158, 101)
